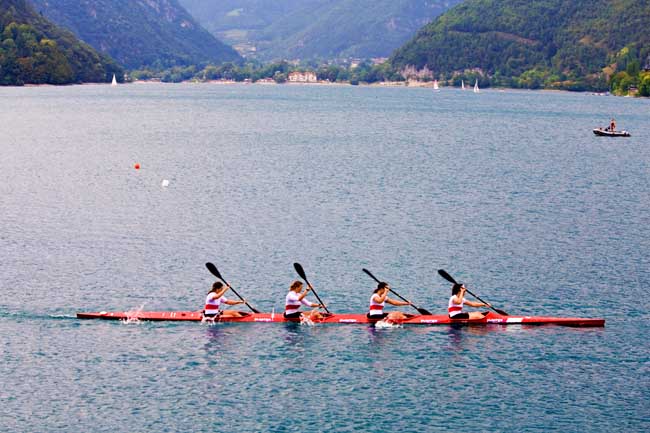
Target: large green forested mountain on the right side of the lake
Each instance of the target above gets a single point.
(570, 44)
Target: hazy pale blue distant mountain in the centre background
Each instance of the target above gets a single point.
(307, 29)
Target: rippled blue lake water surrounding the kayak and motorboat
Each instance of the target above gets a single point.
(508, 191)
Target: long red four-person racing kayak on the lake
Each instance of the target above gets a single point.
(490, 319)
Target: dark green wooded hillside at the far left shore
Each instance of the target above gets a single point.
(35, 51)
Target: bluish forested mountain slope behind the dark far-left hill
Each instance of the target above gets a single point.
(139, 33)
